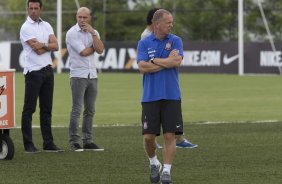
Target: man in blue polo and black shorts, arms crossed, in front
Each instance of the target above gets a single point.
(159, 56)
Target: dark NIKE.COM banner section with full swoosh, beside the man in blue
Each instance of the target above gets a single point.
(210, 57)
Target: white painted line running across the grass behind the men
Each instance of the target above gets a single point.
(138, 125)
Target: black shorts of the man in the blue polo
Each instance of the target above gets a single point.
(165, 114)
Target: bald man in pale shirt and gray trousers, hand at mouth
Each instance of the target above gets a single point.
(82, 42)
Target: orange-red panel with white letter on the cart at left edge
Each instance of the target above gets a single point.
(7, 99)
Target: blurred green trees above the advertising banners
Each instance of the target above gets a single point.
(194, 20)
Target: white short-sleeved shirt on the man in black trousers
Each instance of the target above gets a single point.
(41, 31)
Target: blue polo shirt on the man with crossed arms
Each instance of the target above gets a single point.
(164, 84)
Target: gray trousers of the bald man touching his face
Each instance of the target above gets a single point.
(84, 92)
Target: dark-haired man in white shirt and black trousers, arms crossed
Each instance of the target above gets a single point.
(38, 40)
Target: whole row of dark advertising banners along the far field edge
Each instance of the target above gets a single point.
(199, 57)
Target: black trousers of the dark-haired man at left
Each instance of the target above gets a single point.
(38, 84)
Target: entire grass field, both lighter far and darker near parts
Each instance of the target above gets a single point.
(236, 121)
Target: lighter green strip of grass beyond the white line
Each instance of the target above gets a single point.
(215, 98)
